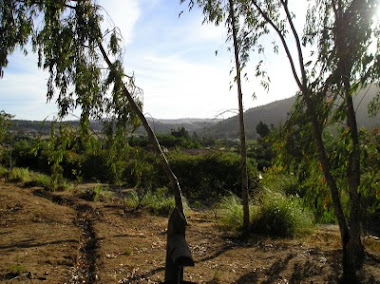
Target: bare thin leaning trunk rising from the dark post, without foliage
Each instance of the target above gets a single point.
(153, 139)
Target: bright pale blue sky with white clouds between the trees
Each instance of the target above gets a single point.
(174, 62)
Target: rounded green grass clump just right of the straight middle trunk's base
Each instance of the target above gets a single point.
(278, 215)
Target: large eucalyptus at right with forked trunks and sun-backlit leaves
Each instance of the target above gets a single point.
(343, 37)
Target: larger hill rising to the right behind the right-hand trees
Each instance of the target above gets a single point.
(277, 112)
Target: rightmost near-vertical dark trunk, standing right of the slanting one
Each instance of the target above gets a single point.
(353, 250)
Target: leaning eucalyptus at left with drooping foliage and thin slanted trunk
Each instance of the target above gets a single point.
(84, 62)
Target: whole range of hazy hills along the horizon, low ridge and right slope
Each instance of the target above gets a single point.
(274, 113)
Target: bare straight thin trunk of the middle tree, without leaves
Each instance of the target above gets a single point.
(243, 146)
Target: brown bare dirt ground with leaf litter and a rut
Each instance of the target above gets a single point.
(59, 238)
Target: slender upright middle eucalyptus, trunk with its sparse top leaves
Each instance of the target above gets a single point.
(216, 12)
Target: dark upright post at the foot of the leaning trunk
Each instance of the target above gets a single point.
(178, 253)
